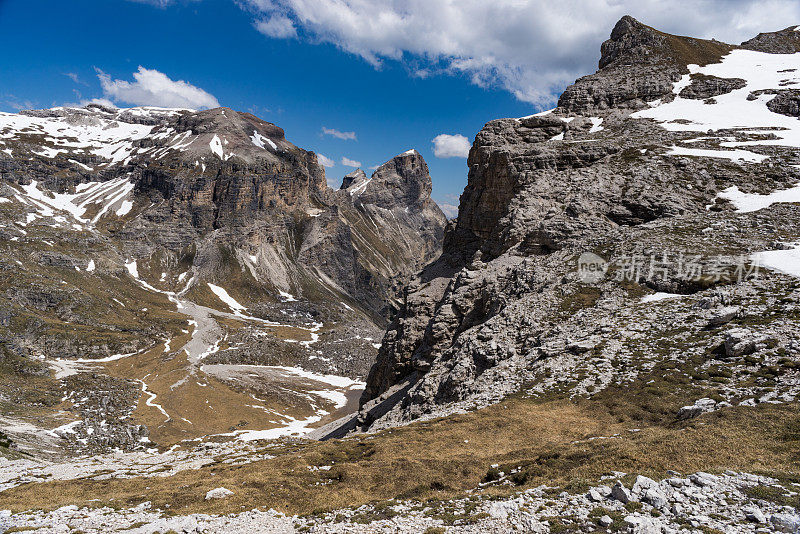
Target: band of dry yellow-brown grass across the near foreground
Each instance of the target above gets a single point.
(441, 459)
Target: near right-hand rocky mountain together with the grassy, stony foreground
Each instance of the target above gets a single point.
(607, 343)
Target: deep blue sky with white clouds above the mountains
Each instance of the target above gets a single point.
(396, 74)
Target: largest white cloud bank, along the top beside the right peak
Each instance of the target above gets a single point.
(532, 48)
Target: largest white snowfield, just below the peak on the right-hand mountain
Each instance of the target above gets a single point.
(733, 110)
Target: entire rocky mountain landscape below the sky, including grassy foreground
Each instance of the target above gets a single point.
(604, 340)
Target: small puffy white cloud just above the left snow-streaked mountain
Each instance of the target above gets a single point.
(154, 88)
